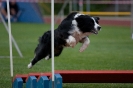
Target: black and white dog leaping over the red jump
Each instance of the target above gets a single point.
(73, 29)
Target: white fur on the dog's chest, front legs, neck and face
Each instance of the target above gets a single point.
(78, 36)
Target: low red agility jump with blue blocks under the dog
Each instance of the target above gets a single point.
(43, 80)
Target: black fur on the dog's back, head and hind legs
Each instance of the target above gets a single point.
(85, 24)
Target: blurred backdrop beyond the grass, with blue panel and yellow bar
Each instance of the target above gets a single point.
(39, 10)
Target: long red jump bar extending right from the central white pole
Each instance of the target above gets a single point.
(116, 76)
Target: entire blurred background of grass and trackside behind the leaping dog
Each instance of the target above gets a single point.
(111, 49)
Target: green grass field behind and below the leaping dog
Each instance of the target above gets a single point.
(111, 49)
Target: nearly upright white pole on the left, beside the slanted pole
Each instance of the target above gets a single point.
(10, 40)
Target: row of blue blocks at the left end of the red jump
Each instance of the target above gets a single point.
(43, 82)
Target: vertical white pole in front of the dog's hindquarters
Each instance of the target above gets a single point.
(52, 38)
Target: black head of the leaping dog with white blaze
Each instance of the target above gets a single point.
(87, 23)
